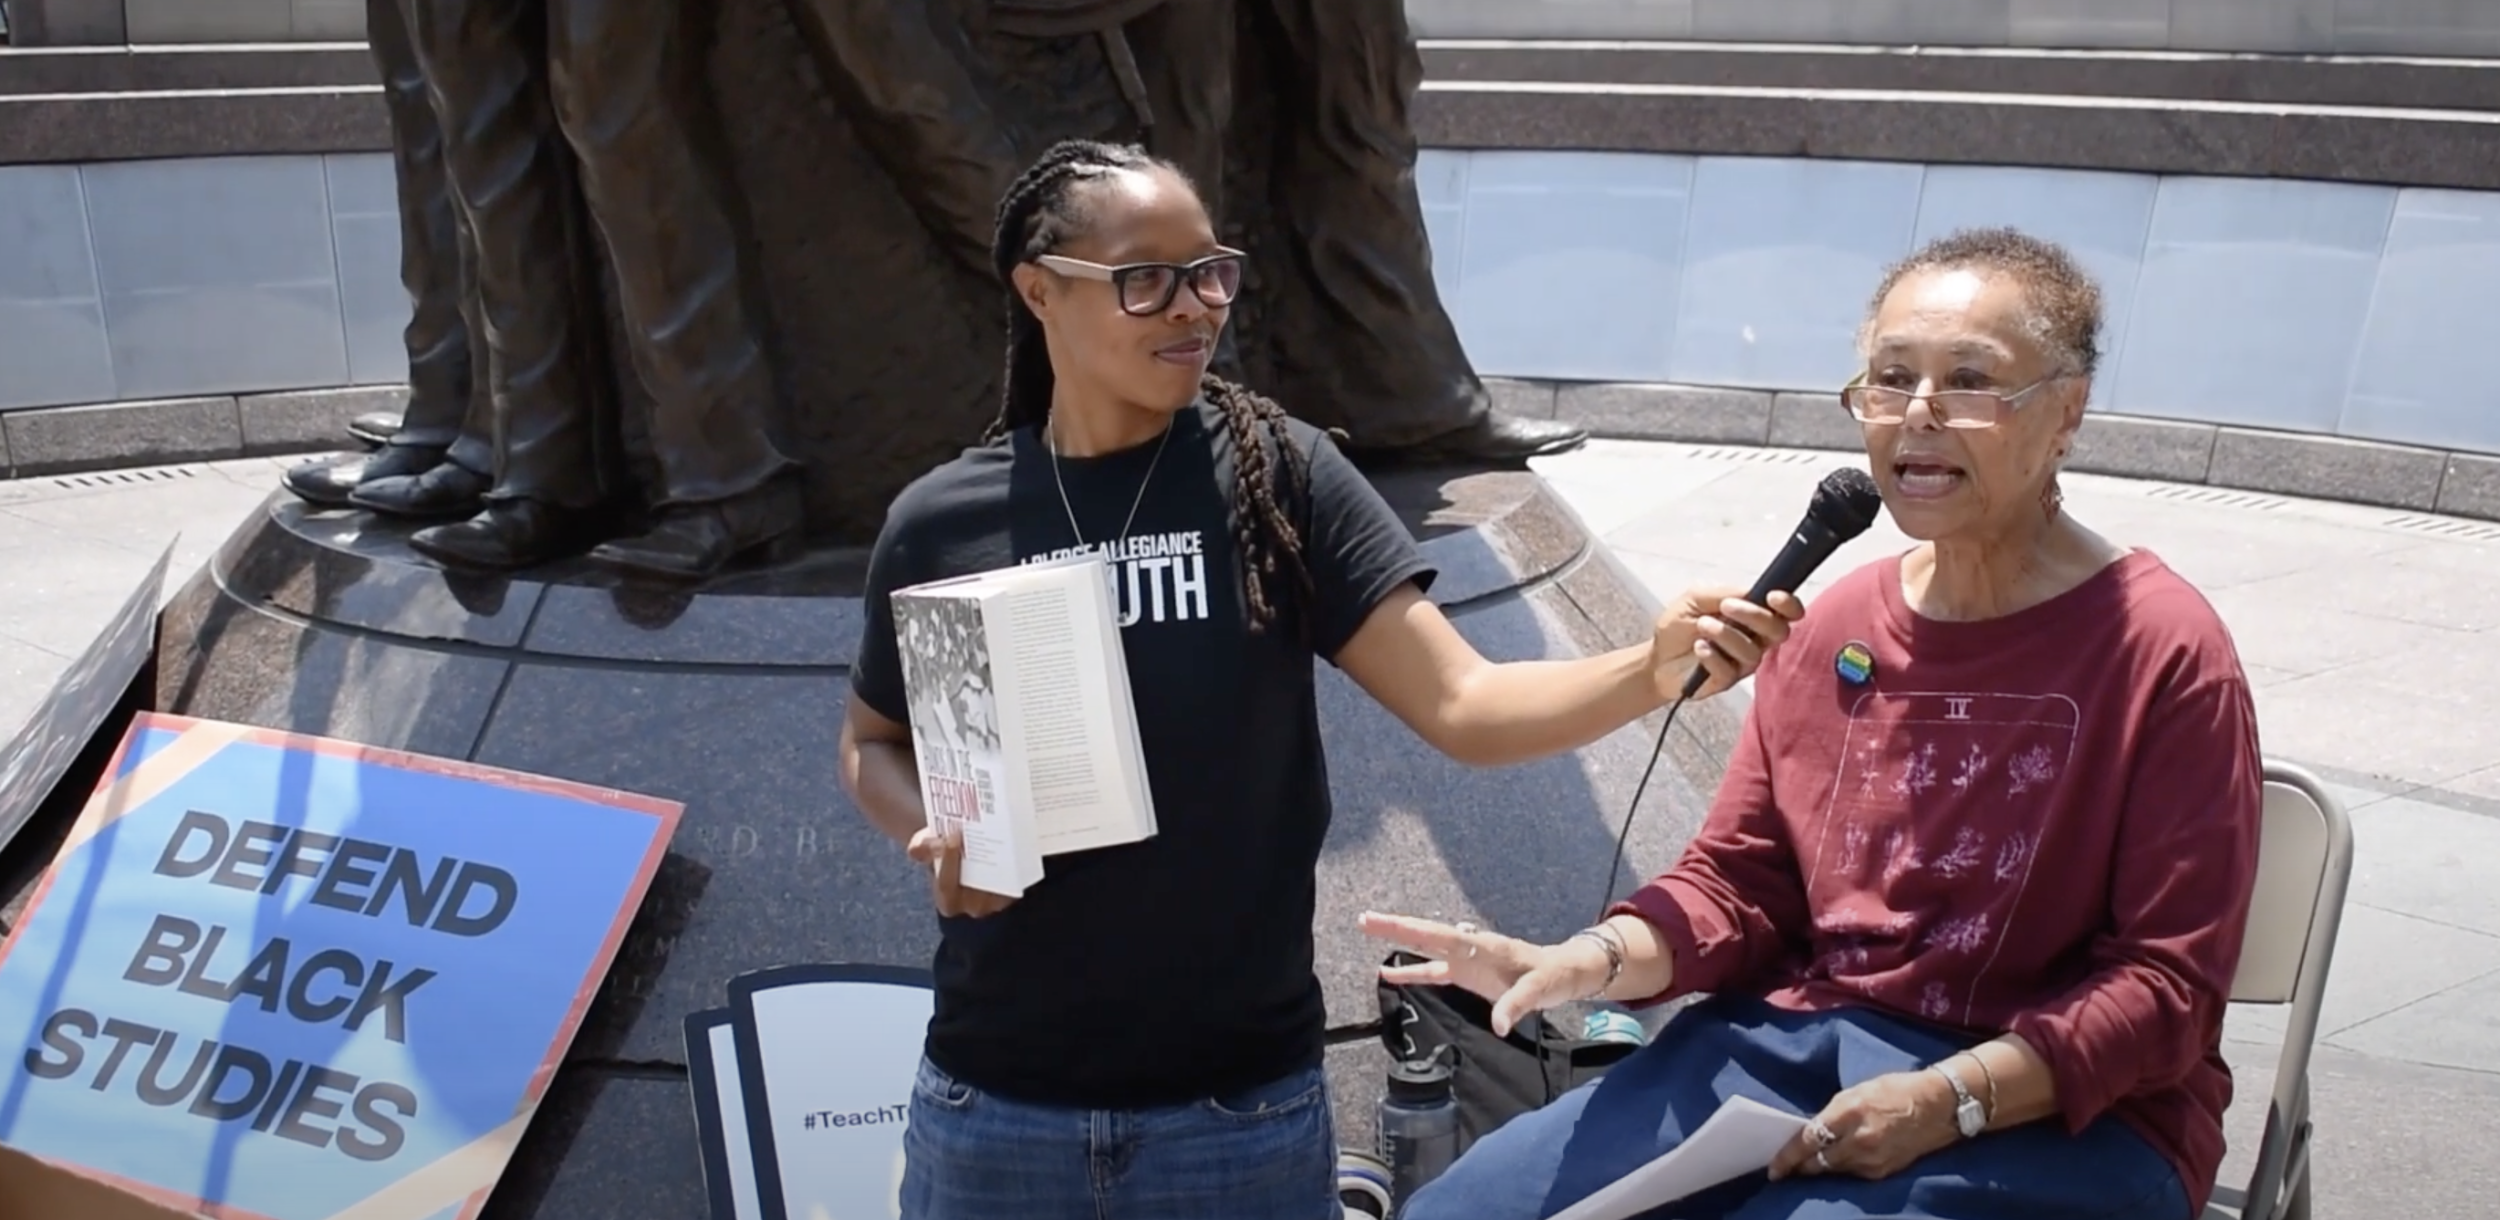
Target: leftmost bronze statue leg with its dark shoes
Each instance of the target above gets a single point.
(436, 459)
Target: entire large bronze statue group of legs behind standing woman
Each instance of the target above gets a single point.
(781, 214)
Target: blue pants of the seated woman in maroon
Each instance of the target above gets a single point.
(1726, 1046)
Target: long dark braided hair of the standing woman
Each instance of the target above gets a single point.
(1041, 211)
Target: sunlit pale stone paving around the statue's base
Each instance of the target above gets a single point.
(2374, 639)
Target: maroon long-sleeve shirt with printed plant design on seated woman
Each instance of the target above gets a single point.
(2041, 824)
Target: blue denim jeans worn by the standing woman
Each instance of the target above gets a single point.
(1266, 1154)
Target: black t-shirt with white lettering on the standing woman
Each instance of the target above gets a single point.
(1181, 966)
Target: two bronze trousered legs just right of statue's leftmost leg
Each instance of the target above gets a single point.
(541, 99)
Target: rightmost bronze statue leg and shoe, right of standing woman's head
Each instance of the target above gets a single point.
(1371, 346)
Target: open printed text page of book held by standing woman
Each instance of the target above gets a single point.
(1081, 754)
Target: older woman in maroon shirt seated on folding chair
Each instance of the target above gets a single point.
(1971, 894)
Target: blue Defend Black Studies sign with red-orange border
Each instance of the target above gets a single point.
(294, 979)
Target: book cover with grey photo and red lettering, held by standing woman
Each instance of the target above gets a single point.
(966, 784)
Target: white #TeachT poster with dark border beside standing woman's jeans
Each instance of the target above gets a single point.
(826, 1061)
